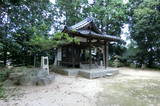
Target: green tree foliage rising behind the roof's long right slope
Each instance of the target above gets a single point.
(110, 15)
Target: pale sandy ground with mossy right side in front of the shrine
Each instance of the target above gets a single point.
(131, 87)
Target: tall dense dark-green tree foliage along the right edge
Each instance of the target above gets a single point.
(145, 31)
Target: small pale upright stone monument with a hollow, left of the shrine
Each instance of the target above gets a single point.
(45, 64)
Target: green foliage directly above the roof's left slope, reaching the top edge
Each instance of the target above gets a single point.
(71, 10)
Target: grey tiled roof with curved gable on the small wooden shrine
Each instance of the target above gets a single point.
(79, 29)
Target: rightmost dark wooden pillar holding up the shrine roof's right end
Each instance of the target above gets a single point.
(106, 54)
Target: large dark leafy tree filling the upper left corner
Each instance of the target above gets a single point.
(21, 20)
